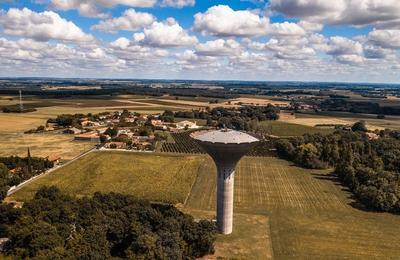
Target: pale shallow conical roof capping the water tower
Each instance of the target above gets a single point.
(224, 136)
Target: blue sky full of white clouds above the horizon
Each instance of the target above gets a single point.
(345, 40)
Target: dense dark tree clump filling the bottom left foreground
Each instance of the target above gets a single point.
(54, 225)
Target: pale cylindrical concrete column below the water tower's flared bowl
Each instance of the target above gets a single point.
(226, 177)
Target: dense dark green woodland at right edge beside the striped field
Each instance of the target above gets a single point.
(369, 167)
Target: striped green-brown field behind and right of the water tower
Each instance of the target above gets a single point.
(310, 215)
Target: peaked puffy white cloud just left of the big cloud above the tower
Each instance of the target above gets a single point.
(166, 34)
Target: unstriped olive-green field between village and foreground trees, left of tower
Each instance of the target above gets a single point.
(161, 178)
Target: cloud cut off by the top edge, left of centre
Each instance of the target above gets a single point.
(94, 8)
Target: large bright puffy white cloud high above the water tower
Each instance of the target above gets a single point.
(222, 21)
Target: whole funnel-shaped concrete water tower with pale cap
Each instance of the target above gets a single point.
(226, 147)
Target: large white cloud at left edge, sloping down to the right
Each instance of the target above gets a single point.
(40, 26)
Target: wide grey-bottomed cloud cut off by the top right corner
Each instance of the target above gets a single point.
(380, 13)
